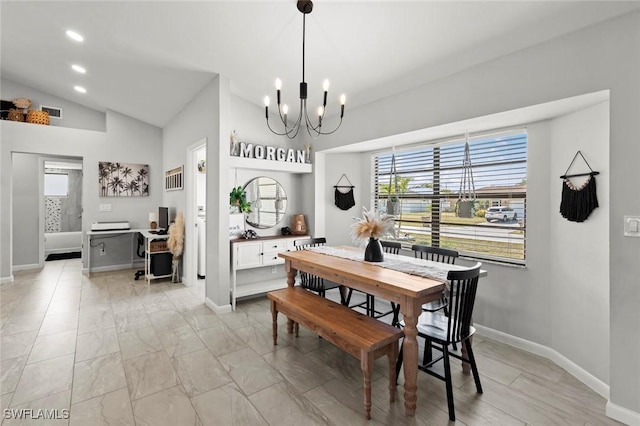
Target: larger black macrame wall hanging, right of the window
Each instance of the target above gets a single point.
(578, 201)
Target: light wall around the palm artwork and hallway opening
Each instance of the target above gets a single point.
(127, 141)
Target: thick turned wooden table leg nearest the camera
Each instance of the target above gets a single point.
(410, 355)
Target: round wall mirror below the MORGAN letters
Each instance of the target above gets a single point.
(268, 202)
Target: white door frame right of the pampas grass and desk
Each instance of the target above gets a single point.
(191, 234)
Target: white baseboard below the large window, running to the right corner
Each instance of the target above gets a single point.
(578, 372)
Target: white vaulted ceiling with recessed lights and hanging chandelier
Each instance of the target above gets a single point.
(148, 59)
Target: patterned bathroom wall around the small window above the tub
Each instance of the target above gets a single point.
(65, 213)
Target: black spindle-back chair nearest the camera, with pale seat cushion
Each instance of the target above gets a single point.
(442, 331)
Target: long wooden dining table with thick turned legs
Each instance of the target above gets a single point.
(409, 291)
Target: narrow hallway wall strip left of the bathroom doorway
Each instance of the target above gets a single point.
(26, 208)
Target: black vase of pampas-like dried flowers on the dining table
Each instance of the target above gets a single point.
(370, 228)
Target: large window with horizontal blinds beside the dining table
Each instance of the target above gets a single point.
(443, 194)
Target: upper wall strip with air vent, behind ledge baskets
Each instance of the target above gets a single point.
(73, 115)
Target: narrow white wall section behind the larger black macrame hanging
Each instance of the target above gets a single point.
(579, 252)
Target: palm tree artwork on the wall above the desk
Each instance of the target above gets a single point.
(123, 180)
